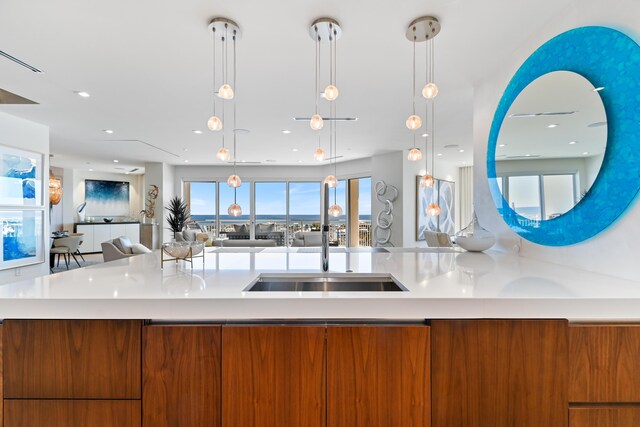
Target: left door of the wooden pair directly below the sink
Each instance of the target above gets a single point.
(273, 376)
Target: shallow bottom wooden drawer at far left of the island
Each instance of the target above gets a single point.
(72, 413)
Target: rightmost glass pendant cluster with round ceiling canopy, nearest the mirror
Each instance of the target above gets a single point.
(425, 29)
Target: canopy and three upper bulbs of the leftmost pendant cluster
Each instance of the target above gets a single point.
(223, 31)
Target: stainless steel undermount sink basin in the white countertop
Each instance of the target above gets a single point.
(326, 283)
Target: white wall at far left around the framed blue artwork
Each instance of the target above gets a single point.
(24, 134)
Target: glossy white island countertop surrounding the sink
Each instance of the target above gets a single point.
(441, 284)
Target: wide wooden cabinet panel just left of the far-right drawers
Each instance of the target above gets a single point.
(499, 373)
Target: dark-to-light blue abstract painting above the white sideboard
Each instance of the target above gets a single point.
(106, 198)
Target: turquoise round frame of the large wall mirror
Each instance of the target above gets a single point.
(609, 59)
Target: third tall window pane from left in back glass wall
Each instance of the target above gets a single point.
(271, 211)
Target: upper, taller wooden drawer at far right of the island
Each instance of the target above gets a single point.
(605, 363)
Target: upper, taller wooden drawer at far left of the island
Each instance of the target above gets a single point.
(73, 359)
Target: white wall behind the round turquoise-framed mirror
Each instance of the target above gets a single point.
(614, 251)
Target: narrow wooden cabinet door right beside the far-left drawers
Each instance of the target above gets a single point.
(181, 376)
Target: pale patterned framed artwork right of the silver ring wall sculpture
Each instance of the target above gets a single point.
(444, 192)
